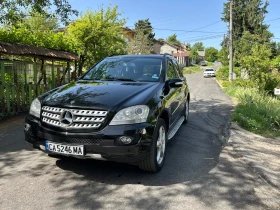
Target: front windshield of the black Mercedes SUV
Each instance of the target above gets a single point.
(126, 69)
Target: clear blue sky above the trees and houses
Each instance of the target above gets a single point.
(191, 20)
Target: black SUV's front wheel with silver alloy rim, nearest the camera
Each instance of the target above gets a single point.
(155, 159)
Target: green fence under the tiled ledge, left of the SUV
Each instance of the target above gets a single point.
(21, 82)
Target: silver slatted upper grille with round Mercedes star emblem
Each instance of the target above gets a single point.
(74, 118)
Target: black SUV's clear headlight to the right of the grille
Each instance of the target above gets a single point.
(131, 115)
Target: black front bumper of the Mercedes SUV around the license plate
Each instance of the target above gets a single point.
(97, 144)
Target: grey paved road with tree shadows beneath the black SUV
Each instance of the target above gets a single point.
(198, 174)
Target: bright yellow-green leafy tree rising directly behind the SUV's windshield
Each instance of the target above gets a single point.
(98, 35)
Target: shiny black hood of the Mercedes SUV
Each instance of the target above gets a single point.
(100, 95)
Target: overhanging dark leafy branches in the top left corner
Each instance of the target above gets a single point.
(13, 11)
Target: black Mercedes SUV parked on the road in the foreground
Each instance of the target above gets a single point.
(123, 109)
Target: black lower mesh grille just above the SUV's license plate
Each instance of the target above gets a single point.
(66, 139)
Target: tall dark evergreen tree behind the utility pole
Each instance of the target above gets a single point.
(249, 27)
